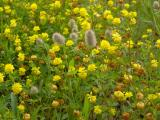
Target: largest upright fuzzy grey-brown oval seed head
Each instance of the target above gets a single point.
(90, 38)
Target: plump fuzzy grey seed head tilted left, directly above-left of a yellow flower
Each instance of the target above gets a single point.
(58, 38)
